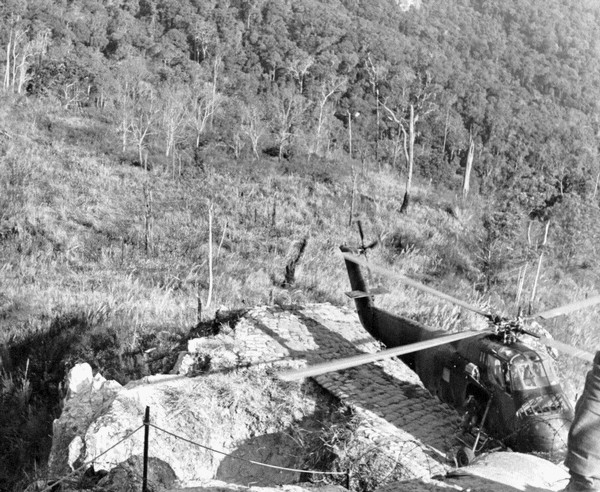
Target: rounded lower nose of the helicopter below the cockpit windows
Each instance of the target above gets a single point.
(546, 434)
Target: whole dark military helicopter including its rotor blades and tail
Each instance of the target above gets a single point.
(506, 387)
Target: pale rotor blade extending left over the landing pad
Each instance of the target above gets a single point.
(357, 360)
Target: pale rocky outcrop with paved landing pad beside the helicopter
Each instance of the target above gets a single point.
(223, 396)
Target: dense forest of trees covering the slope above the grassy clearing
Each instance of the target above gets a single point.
(517, 82)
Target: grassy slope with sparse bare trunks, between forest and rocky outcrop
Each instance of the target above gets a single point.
(78, 282)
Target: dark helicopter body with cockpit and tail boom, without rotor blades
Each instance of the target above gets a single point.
(526, 406)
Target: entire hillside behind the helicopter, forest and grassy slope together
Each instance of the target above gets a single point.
(155, 153)
